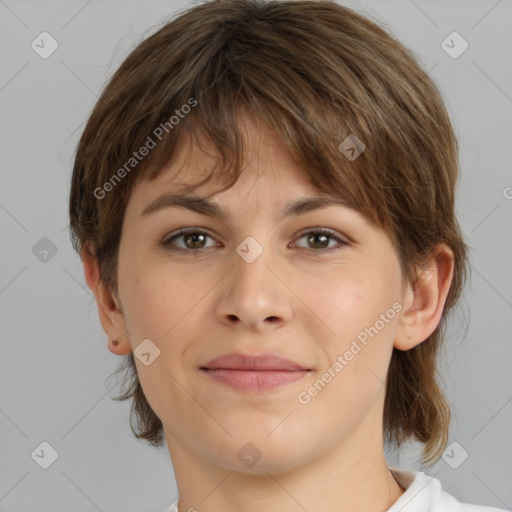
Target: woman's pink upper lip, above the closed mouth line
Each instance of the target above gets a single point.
(261, 362)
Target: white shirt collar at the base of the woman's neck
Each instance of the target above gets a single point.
(422, 494)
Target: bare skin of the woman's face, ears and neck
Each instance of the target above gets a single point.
(293, 301)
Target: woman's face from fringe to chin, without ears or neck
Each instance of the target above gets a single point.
(258, 282)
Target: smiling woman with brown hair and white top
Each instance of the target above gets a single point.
(263, 201)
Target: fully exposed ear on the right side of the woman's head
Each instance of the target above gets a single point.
(423, 305)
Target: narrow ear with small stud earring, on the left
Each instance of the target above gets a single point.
(111, 316)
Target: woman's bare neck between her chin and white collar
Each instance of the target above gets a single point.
(354, 477)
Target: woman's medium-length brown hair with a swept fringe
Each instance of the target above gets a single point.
(316, 72)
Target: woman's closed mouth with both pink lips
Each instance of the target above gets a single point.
(254, 373)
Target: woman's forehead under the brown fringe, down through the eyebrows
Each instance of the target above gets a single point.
(270, 182)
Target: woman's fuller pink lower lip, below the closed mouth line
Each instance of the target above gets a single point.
(253, 380)
